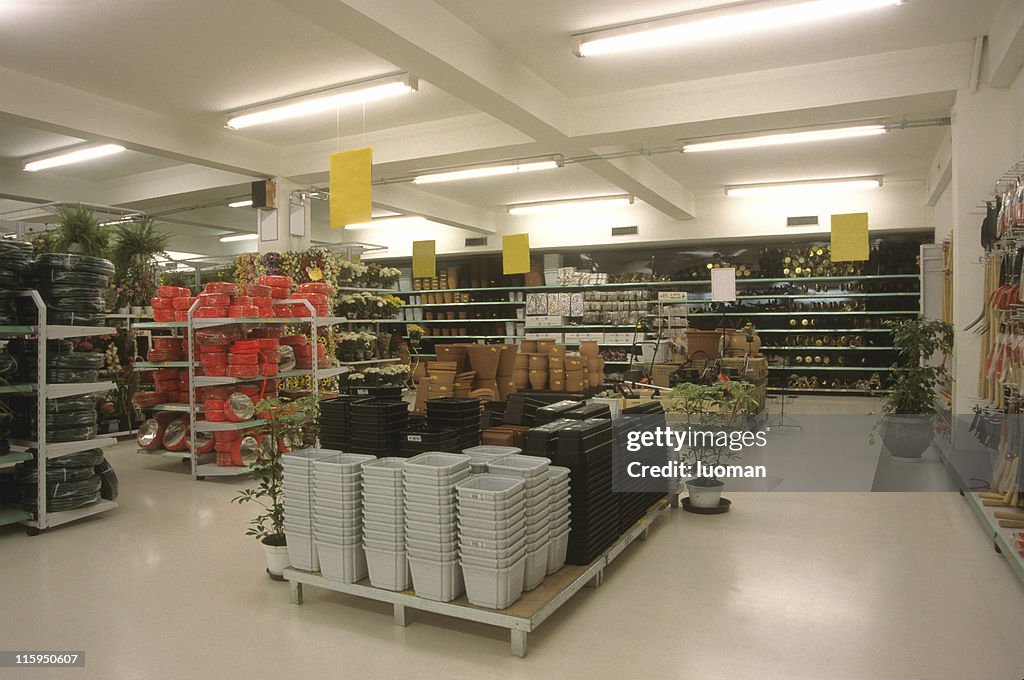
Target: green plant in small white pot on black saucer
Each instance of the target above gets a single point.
(721, 407)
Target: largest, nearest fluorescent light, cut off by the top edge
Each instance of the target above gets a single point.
(726, 22)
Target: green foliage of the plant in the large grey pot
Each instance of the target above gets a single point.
(913, 382)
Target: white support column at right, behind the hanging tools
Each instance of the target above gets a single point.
(985, 146)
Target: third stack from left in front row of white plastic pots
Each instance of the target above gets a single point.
(385, 523)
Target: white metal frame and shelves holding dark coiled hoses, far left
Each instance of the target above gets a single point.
(44, 519)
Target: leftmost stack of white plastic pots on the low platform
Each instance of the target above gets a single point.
(298, 503)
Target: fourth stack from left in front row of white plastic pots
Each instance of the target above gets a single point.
(431, 524)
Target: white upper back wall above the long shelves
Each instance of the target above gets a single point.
(895, 206)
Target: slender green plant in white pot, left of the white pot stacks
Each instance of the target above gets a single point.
(289, 426)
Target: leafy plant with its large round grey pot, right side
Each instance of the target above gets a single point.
(909, 410)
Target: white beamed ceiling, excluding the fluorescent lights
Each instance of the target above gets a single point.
(497, 81)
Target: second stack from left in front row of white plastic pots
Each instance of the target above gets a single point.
(338, 517)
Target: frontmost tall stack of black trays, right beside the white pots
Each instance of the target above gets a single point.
(585, 448)
